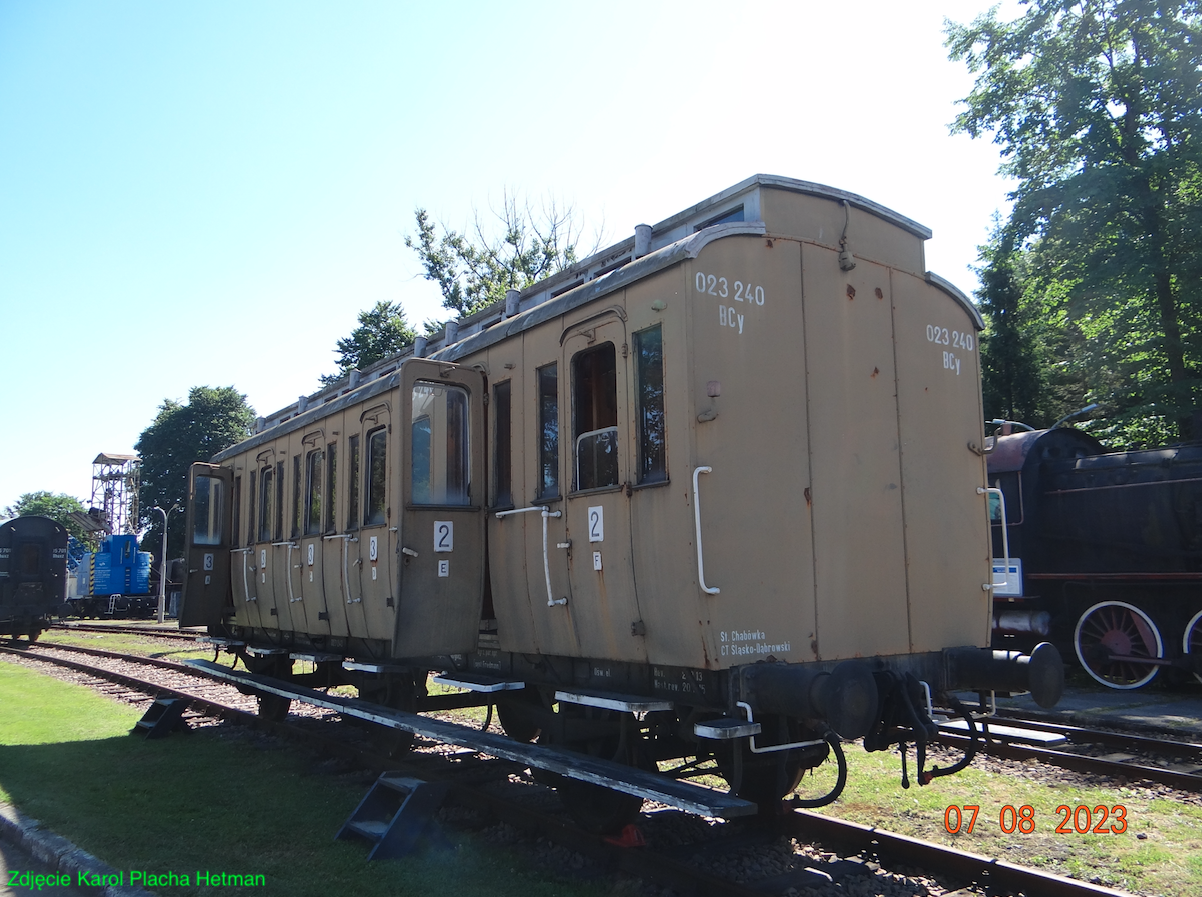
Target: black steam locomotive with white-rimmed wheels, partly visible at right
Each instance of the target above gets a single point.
(1105, 554)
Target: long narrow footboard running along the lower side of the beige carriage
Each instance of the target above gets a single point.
(682, 795)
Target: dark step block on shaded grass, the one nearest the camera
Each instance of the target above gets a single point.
(394, 815)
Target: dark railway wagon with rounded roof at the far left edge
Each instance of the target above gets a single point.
(33, 574)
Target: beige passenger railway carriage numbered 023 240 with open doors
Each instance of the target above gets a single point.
(730, 466)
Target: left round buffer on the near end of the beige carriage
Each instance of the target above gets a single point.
(846, 698)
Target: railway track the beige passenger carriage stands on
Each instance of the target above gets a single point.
(499, 791)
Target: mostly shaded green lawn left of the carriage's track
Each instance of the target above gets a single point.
(219, 800)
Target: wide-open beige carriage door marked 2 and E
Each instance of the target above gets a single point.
(442, 534)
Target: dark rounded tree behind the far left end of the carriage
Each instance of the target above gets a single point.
(213, 420)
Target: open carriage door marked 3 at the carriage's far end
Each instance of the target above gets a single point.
(207, 585)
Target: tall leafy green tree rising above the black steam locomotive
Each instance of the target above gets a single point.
(1098, 109)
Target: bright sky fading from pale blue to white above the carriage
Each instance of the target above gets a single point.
(210, 193)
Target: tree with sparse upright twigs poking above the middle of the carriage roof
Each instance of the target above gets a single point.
(477, 270)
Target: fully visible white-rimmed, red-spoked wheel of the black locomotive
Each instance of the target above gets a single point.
(1118, 628)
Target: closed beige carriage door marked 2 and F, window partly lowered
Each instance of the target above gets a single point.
(605, 608)
